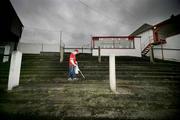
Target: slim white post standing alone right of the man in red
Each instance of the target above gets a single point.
(112, 73)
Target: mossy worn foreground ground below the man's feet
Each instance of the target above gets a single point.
(80, 100)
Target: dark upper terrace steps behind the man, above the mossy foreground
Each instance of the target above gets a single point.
(48, 66)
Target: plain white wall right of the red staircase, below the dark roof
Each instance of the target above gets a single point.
(171, 49)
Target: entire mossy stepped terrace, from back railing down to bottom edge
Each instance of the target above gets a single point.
(145, 91)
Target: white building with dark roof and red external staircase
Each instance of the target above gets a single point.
(164, 37)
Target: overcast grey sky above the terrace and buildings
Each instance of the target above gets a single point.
(78, 19)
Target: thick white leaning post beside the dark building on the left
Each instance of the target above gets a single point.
(15, 67)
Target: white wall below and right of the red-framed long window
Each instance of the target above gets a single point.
(121, 52)
